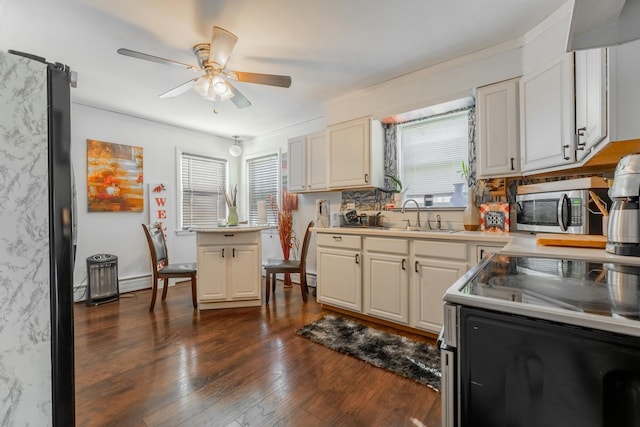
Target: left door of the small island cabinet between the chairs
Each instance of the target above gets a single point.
(212, 273)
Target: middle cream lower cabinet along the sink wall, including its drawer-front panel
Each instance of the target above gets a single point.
(386, 279)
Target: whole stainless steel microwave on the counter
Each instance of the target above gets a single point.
(560, 212)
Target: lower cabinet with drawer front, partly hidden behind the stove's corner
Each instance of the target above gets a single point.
(436, 266)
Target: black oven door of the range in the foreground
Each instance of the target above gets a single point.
(518, 371)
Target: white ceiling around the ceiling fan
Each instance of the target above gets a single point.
(328, 47)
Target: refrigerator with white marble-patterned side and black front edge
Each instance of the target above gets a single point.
(36, 259)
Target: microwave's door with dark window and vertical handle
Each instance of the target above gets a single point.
(545, 212)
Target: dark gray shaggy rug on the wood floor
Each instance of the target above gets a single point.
(403, 356)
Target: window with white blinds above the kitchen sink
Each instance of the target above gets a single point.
(431, 152)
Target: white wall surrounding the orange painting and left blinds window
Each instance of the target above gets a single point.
(120, 233)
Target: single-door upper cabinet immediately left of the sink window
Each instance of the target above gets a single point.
(356, 154)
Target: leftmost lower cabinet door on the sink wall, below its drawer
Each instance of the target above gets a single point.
(339, 278)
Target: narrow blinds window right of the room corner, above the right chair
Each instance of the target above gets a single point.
(262, 182)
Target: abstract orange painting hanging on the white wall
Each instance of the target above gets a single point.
(114, 177)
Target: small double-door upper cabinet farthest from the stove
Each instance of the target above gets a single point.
(307, 162)
